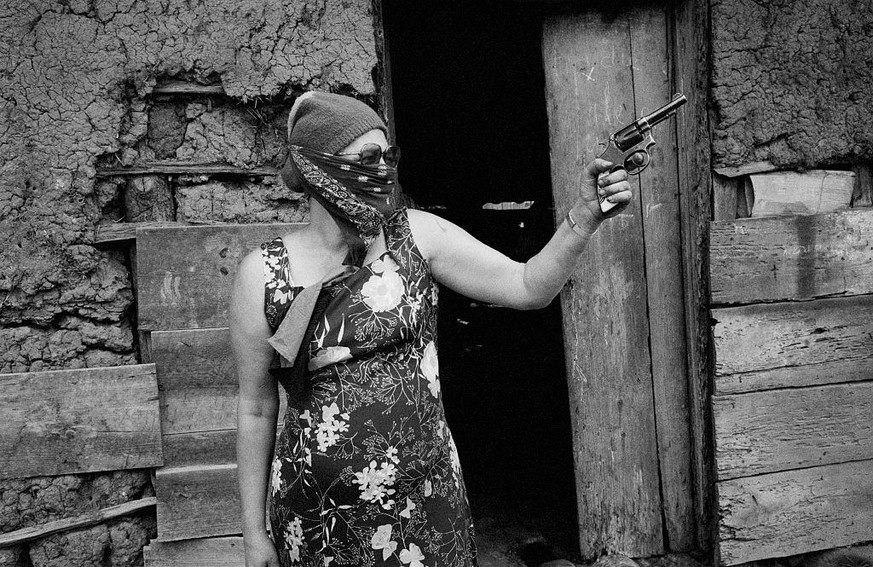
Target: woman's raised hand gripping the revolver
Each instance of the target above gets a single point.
(597, 181)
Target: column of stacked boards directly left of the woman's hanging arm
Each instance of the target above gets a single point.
(184, 277)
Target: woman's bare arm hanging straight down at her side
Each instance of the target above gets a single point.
(257, 409)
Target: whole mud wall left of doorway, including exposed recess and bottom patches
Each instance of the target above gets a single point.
(77, 96)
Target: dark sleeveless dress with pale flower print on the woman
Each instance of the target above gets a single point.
(366, 472)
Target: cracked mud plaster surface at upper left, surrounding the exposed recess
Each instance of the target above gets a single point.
(73, 75)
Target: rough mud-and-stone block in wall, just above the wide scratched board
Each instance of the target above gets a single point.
(239, 202)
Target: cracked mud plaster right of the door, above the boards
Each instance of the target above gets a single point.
(791, 82)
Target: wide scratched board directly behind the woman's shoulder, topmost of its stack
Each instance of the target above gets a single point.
(185, 274)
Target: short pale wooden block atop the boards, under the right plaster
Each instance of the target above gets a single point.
(808, 193)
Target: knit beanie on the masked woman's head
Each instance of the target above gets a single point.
(329, 122)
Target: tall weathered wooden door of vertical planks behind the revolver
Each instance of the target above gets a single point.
(624, 317)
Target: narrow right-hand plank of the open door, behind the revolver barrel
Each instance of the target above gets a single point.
(659, 204)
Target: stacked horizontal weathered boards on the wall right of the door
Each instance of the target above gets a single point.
(793, 383)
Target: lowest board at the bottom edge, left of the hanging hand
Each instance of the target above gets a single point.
(210, 552)
